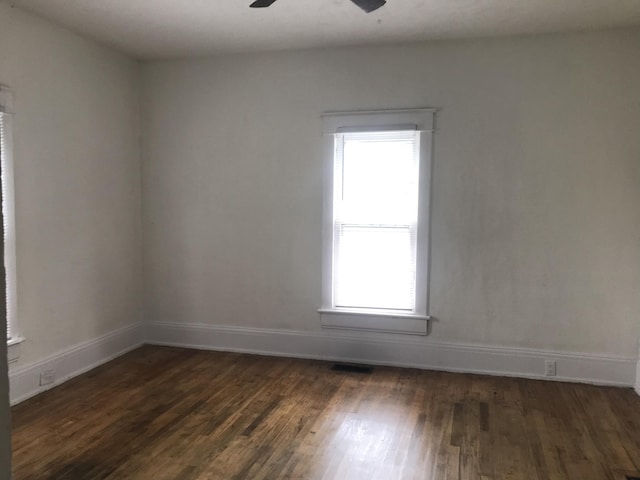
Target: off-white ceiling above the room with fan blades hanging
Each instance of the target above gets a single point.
(153, 29)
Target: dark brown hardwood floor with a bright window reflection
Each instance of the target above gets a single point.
(164, 413)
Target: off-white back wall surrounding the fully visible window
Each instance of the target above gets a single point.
(536, 201)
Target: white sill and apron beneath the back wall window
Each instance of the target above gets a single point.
(381, 321)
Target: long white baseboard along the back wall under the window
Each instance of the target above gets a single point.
(421, 353)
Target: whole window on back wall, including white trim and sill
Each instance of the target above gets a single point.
(376, 212)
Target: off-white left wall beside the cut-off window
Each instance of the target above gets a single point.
(77, 183)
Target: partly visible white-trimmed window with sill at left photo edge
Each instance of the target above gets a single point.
(6, 109)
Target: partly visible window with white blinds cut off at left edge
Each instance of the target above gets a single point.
(6, 162)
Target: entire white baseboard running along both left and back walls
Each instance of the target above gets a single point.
(402, 352)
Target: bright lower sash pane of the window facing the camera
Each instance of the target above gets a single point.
(374, 267)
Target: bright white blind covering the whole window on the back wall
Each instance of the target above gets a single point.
(375, 214)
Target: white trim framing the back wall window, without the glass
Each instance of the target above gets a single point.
(415, 323)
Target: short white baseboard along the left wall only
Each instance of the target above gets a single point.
(25, 381)
